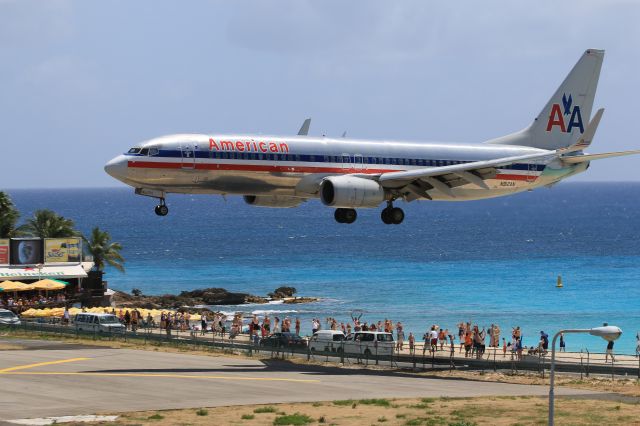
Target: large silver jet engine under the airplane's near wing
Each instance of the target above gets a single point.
(351, 192)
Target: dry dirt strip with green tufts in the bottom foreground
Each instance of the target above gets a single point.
(426, 411)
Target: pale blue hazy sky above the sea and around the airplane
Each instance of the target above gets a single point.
(82, 81)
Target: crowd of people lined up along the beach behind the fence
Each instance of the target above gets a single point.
(470, 339)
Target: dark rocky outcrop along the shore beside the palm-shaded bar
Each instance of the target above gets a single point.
(205, 296)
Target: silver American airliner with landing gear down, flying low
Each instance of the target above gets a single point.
(346, 174)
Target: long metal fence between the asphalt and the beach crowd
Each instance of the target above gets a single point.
(420, 358)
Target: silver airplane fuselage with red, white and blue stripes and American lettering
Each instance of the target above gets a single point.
(294, 166)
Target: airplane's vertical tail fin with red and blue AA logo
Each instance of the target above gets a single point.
(563, 119)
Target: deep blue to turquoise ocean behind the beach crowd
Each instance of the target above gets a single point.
(491, 261)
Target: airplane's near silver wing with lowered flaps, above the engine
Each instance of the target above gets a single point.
(419, 181)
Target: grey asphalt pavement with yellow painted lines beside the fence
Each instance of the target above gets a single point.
(40, 379)
